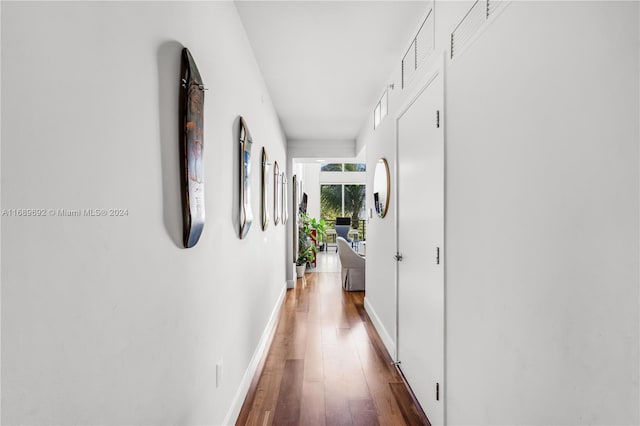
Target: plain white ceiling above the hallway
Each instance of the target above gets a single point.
(326, 63)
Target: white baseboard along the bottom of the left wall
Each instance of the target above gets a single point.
(245, 383)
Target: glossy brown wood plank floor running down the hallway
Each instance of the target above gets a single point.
(327, 365)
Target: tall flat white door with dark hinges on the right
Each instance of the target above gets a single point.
(420, 168)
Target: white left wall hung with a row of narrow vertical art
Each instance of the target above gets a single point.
(108, 320)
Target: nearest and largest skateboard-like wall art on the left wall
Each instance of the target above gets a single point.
(191, 122)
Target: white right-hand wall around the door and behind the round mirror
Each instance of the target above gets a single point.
(542, 207)
